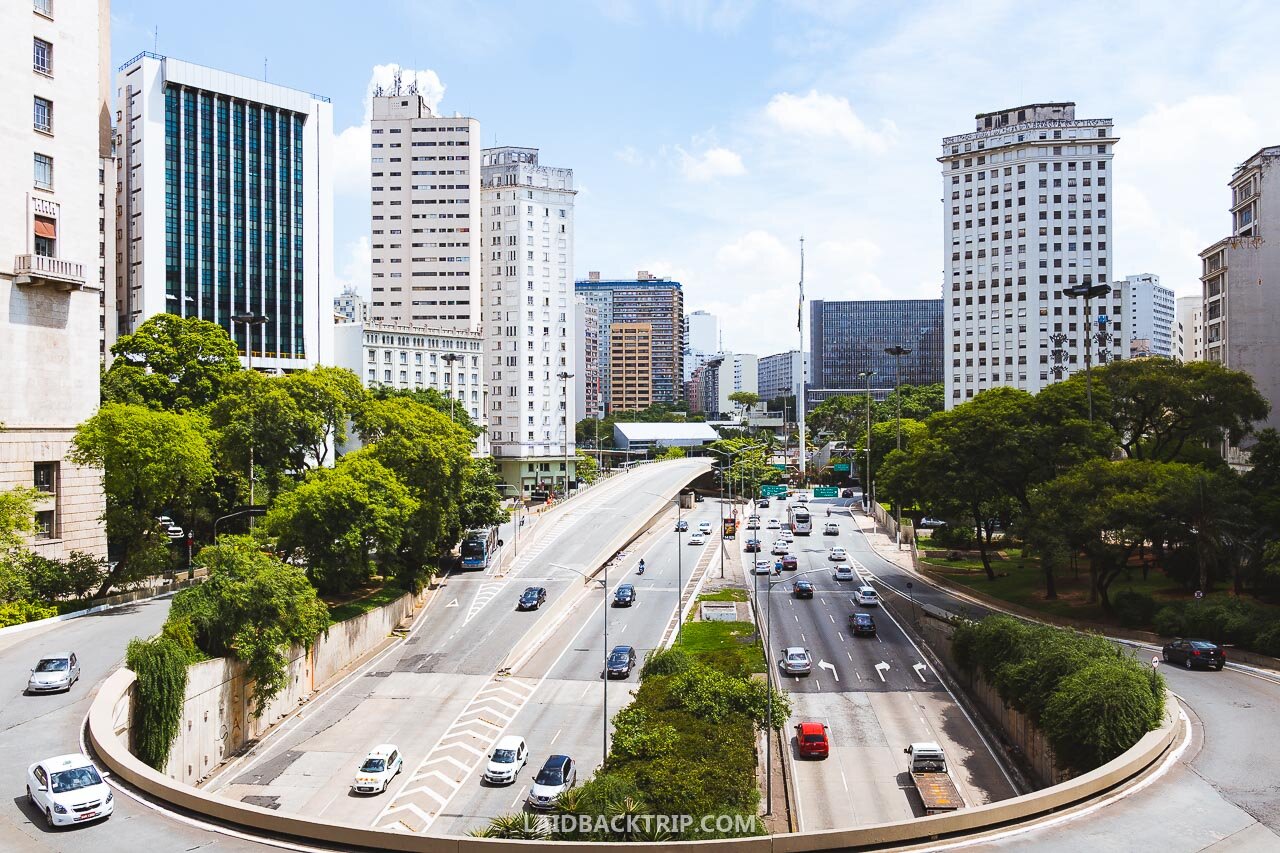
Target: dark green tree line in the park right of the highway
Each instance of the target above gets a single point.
(1142, 485)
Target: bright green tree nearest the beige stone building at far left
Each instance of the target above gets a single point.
(150, 460)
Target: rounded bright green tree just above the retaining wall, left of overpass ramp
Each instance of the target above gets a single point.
(339, 519)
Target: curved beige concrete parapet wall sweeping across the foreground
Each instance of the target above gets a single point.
(108, 729)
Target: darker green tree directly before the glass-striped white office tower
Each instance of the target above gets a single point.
(171, 363)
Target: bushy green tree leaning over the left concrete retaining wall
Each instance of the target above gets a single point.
(253, 608)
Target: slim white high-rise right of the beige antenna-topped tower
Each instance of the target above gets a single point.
(529, 316)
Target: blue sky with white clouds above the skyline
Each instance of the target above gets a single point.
(708, 136)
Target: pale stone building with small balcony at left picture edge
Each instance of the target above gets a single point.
(53, 261)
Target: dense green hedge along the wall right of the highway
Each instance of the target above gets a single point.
(1090, 699)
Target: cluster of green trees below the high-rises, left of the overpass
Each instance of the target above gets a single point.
(181, 421)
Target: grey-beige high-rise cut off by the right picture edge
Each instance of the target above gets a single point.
(1241, 277)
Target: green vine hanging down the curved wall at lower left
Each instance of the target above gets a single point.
(161, 667)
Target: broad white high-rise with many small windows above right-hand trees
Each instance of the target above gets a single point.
(1027, 203)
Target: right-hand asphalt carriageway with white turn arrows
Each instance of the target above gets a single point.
(875, 695)
